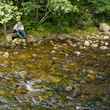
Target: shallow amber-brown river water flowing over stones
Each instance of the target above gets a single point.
(54, 75)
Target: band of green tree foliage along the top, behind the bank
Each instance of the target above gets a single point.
(59, 13)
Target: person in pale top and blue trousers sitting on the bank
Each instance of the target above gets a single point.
(19, 30)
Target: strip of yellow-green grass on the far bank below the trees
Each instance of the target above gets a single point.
(47, 30)
